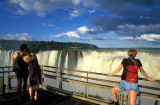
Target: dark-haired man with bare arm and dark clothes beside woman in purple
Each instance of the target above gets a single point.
(21, 70)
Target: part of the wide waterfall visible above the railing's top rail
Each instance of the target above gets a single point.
(104, 61)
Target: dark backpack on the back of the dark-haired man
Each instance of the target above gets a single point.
(17, 63)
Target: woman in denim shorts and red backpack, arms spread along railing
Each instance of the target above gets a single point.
(129, 78)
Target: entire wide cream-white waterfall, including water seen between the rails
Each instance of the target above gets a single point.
(104, 61)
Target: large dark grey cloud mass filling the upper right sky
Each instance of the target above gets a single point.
(128, 18)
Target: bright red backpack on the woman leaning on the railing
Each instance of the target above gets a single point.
(132, 74)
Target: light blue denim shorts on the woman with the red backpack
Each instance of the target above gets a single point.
(126, 86)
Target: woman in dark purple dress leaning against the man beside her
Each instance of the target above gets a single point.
(34, 73)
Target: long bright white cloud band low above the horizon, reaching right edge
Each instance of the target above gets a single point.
(84, 29)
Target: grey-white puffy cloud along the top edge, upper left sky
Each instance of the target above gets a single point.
(41, 7)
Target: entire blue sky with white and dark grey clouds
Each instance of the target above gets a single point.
(105, 23)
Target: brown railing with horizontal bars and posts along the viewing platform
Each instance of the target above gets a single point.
(86, 83)
